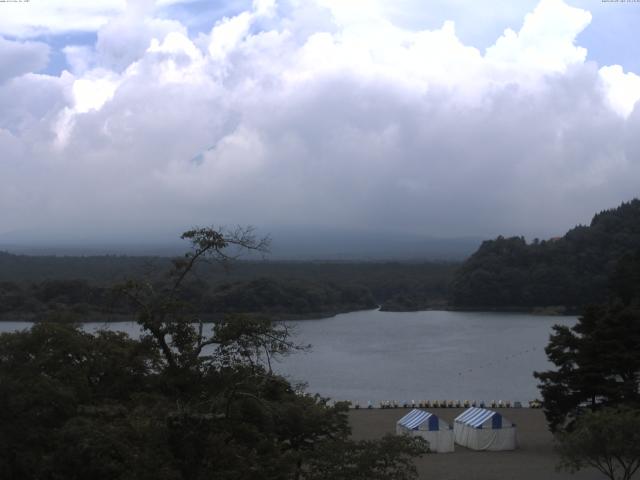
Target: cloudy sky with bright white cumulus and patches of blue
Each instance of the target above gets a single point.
(442, 118)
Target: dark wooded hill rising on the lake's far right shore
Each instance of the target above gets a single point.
(571, 271)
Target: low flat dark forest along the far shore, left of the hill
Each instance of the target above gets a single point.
(80, 288)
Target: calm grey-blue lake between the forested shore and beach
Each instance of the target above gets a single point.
(431, 355)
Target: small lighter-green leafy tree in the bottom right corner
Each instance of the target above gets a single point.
(608, 440)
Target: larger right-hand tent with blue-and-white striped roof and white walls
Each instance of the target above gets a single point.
(482, 429)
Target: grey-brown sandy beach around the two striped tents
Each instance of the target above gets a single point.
(533, 460)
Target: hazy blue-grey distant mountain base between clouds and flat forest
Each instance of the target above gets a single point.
(288, 243)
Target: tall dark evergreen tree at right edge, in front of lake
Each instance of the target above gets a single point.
(598, 359)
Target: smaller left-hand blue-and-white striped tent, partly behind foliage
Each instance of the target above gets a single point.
(425, 424)
